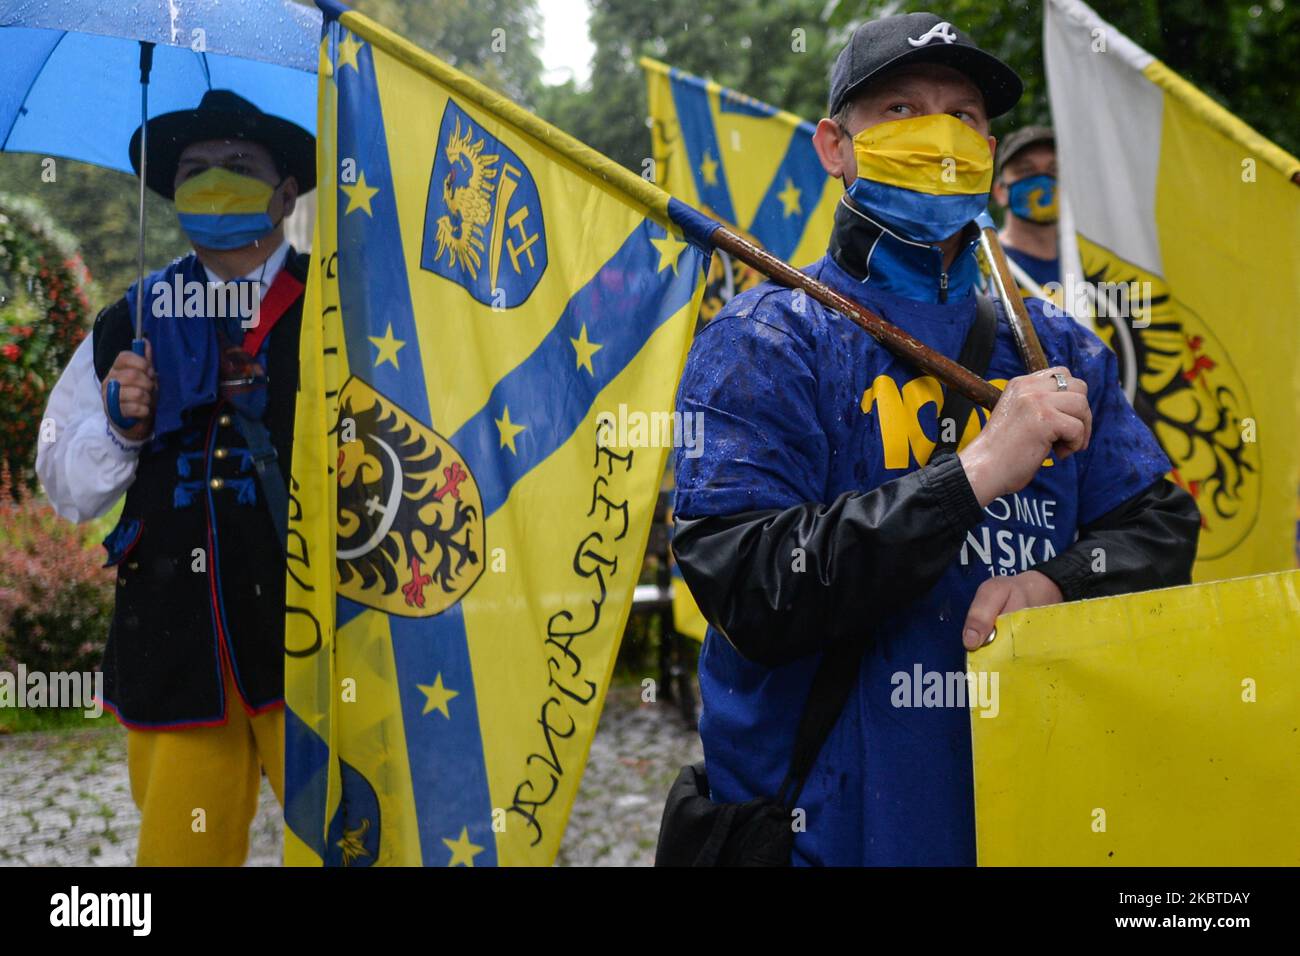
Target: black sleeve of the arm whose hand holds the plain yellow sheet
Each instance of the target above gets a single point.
(1150, 542)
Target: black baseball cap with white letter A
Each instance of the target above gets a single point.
(883, 45)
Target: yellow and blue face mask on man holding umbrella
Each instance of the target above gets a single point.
(223, 210)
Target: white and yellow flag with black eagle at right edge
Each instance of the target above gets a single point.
(1190, 220)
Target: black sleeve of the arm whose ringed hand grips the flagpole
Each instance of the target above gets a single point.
(785, 583)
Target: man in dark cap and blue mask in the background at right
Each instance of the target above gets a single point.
(1025, 184)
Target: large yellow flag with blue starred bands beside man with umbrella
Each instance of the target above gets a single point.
(487, 297)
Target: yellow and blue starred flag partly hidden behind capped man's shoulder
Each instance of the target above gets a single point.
(746, 163)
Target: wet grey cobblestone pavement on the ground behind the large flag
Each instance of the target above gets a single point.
(66, 798)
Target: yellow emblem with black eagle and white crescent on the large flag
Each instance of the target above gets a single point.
(410, 514)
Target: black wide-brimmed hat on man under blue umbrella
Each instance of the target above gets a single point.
(224, 115)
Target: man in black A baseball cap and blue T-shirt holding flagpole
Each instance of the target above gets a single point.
(829, 507)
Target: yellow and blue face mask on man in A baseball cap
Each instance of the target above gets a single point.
(924, 178)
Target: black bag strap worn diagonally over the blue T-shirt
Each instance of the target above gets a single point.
(838, 672)
